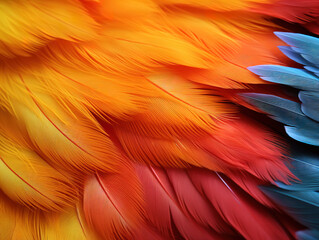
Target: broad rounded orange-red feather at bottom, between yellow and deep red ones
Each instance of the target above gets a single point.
(113, 203)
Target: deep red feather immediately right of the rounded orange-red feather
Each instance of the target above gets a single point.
(163, 210)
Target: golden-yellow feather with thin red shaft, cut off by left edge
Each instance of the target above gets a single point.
(26, 178)
